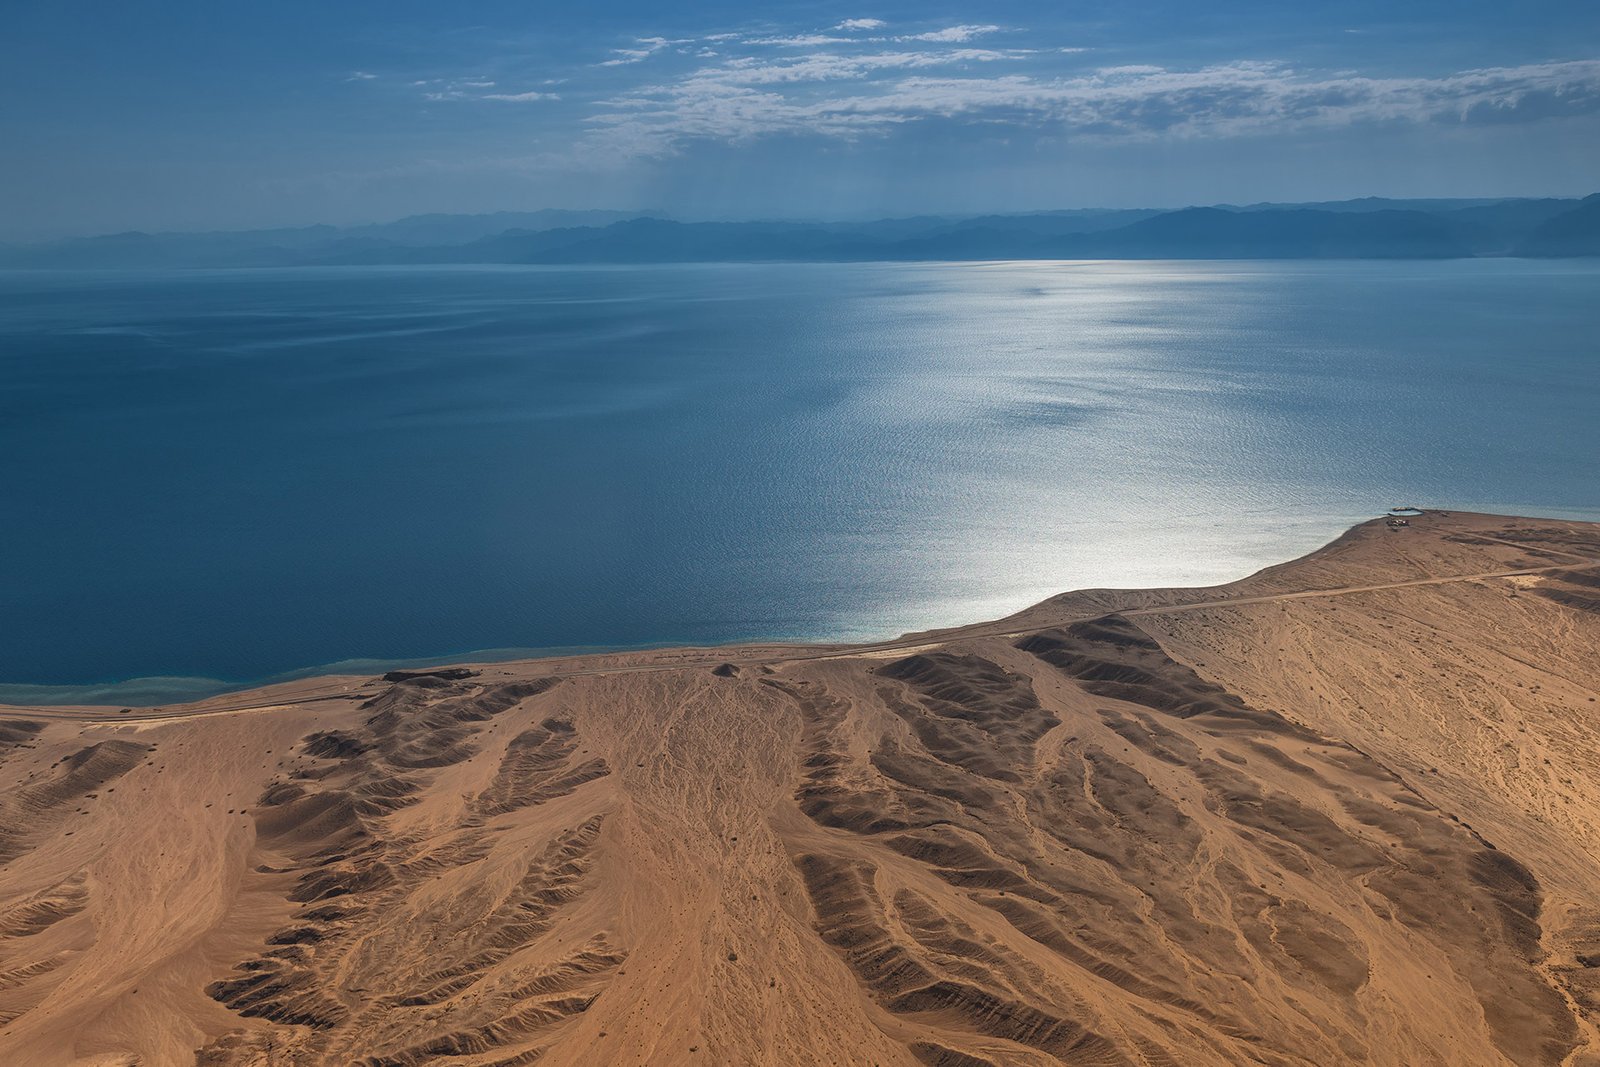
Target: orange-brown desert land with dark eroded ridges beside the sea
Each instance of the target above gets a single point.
(1343, 812)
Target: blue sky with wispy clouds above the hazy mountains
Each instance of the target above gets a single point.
(222, 114)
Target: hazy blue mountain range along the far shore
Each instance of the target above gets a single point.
(1370, 228)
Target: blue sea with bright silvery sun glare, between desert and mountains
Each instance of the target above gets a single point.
(226, 476)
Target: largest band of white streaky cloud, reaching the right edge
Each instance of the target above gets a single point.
(844, 97)
